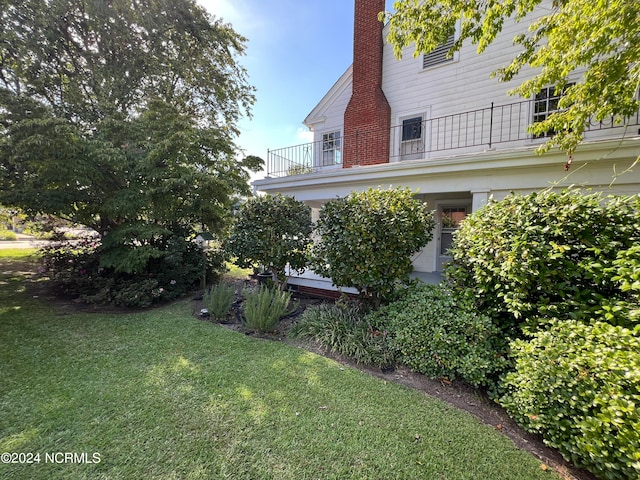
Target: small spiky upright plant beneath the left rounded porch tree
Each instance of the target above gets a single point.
(263, 308)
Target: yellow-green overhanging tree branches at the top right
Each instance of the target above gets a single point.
(601, 38)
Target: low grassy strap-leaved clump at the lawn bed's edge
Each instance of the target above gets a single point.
(341, 329)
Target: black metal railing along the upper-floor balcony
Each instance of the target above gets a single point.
(500, 127)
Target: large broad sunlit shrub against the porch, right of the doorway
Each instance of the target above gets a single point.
(551, 255)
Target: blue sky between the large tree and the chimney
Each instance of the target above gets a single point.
(296, 50)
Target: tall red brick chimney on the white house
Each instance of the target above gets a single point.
(367, 119)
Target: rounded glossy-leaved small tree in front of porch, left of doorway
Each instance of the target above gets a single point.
(367, 239)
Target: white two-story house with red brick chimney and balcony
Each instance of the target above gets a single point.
(442, 127)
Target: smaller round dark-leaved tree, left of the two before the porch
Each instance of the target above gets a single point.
(272, 231)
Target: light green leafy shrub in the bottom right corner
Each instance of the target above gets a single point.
(579, 386)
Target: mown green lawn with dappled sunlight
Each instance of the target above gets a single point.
(162, 395)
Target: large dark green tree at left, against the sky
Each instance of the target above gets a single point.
(121, 115)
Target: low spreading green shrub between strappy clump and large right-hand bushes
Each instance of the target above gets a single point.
(438, 335)
